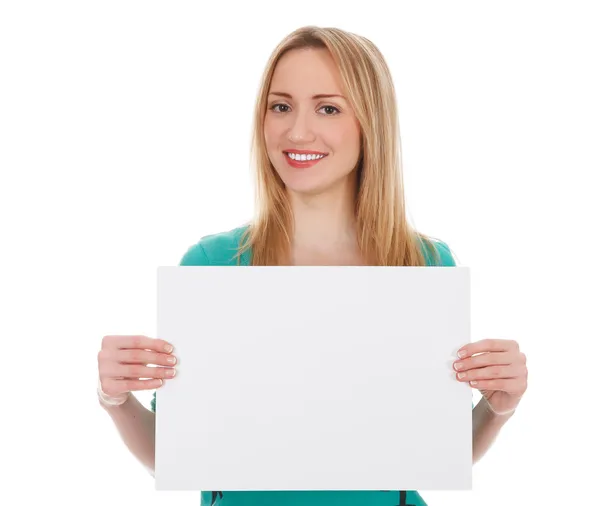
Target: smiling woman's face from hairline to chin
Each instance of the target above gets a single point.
(311, 133)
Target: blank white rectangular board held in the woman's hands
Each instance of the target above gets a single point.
(314, 378)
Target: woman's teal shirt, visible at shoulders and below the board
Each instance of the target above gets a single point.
(221, 249)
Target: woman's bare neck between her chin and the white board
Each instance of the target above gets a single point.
(324, 221)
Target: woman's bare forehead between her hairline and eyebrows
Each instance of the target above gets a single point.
(306, 72)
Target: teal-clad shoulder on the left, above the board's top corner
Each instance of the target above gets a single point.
(215, 249)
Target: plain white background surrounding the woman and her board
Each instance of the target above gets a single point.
(124, 134)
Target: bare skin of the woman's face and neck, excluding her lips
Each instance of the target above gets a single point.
(321, 196)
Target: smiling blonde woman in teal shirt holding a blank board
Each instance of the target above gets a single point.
(327, 154)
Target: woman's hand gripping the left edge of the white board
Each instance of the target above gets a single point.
(123, 365)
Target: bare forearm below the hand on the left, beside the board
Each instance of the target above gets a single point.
(136, 425)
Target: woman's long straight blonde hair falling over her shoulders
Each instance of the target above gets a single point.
(385, 237)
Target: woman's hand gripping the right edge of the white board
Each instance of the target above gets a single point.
(498, 369)
